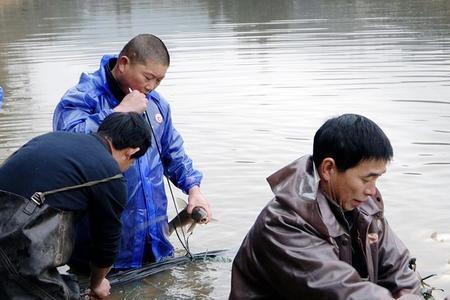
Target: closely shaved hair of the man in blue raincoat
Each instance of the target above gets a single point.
(144, 47)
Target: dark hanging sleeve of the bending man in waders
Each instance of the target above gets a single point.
(106, 227)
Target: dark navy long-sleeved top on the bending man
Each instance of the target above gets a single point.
(62, 159)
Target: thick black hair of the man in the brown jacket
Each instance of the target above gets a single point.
(350, 139)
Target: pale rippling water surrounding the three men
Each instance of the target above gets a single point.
(250, 82)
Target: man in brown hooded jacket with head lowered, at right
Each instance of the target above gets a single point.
(324, 235)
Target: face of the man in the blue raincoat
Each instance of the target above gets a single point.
(142, 77)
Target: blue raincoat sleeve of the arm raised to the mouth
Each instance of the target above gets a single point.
(79, 110)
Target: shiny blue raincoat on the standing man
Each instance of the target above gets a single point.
(144, 219)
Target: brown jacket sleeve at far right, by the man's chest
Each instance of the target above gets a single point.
(393, 270)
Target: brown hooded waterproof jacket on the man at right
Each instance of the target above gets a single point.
(297, 249)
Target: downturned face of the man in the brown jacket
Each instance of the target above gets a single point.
(353, 187)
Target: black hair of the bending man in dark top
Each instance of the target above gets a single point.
(127, 130)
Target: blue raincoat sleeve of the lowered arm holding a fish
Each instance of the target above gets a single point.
(178, 164)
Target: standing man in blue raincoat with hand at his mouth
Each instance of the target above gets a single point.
(127, 83)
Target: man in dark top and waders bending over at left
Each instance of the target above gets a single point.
(47, 185)
